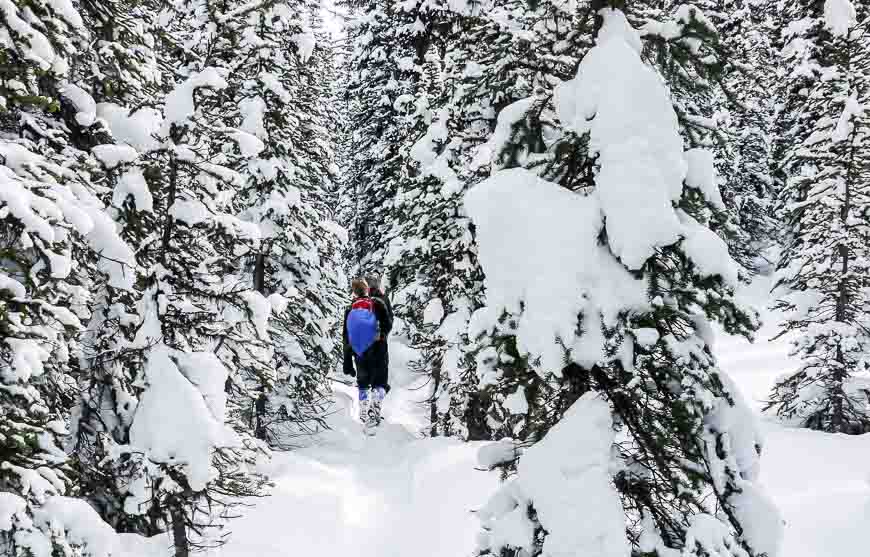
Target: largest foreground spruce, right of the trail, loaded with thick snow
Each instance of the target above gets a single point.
(680, 463)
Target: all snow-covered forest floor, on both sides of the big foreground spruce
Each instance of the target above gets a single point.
(399, 495)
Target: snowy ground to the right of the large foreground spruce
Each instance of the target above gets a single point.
(821, 482)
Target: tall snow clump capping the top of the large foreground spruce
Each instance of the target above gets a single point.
(624, 107)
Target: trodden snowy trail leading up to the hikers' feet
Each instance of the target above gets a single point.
(391, 495)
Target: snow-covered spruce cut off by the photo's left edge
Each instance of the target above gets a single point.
(50, 215)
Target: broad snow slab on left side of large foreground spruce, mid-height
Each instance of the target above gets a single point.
(564, 270)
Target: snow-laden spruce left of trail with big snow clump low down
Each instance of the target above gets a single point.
(176, 452)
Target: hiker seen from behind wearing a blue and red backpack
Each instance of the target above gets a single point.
(366, 326)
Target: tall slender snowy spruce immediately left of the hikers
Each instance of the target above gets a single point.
(279, 75)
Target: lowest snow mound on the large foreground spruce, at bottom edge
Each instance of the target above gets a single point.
(566, 478)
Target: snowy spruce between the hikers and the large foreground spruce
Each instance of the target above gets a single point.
(497, 55)
